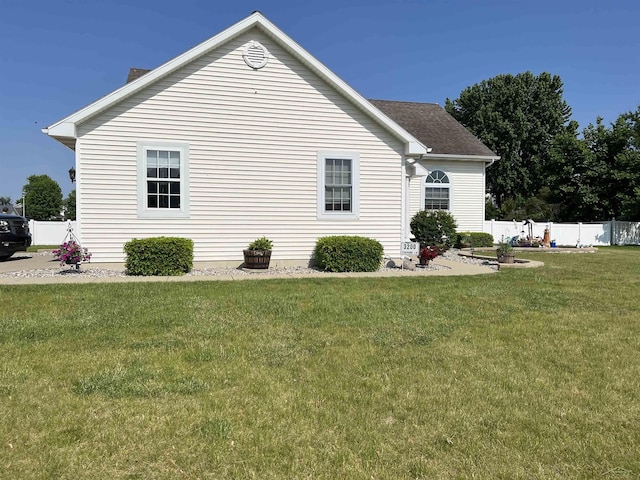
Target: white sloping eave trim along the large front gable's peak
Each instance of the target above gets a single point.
(65, 130)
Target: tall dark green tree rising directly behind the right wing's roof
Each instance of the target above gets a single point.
(517, 117)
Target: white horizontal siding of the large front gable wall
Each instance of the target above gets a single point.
(253, 139)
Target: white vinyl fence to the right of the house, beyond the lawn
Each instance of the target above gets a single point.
(570, 234)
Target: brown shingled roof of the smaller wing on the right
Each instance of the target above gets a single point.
(435, 127)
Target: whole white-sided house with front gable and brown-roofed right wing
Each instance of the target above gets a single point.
(247, 135)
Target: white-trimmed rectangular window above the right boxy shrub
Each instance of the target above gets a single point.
(338, 185)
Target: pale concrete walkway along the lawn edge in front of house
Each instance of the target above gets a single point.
(28, 263)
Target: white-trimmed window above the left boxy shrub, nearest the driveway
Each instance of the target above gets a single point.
(163, 185)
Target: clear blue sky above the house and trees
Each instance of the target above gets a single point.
(56, 57)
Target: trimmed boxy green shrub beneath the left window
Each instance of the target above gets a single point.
(164, 256)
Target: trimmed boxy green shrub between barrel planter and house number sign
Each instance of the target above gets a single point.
(348, 254)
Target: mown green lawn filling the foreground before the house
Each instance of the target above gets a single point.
(523, 374)
